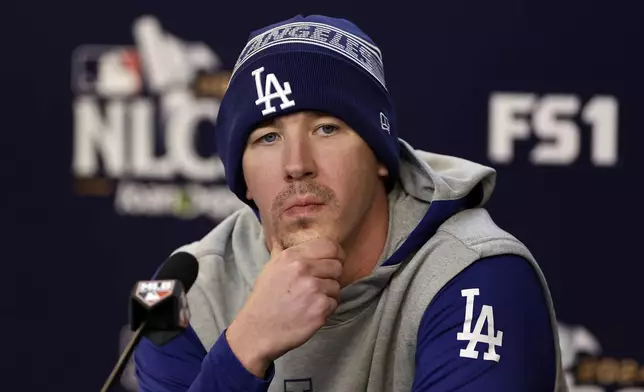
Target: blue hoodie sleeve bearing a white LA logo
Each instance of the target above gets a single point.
(488, 329)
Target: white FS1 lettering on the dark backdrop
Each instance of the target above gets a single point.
(559, 122)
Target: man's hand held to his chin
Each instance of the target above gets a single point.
(292, 298)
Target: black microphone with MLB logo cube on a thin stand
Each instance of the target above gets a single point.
(159, 308)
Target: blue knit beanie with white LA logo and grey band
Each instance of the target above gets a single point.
(312, 63)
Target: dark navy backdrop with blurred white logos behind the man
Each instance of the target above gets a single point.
(109, 162)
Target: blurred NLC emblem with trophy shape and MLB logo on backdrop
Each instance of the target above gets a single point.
(142, 114)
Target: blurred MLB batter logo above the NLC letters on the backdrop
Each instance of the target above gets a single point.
(108, 71)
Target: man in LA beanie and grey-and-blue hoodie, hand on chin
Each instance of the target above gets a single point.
(361, 264)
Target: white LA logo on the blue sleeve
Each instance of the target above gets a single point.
(475, 337)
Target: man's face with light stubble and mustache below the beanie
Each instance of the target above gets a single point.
(310, 175)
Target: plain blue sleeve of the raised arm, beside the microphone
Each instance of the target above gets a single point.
(182, 365)
